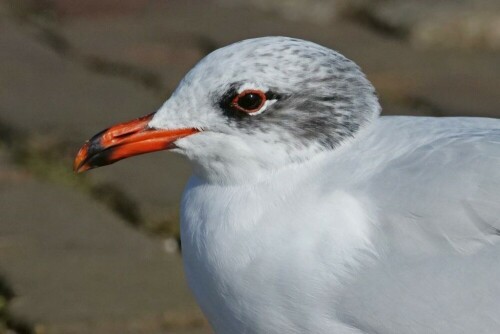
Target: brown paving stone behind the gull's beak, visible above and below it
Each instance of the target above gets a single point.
(42, 93)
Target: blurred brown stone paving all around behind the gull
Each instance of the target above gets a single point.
(97, 253)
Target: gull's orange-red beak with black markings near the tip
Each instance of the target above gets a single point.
(125, 140)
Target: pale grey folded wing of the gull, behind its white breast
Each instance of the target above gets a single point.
(439, 204)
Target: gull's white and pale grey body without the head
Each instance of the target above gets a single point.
(315, 247)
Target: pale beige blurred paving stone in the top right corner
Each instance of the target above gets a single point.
(448, 23)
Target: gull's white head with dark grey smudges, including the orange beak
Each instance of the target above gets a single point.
(248, 109)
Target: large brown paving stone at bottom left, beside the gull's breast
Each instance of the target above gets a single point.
(74, 265)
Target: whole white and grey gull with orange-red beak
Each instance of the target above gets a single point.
(307, 212)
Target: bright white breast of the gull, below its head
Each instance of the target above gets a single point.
(265, 261)
